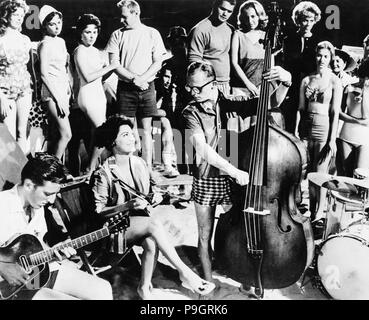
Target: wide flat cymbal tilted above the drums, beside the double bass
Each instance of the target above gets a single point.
(337, 183)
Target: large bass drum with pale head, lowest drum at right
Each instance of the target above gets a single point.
(343, 263)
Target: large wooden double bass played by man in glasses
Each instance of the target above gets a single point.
(264, 241)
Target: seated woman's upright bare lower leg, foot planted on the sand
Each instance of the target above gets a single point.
(149, 258)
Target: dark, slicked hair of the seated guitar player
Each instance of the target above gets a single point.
(44, 167)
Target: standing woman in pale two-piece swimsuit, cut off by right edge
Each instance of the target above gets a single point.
(353, 142)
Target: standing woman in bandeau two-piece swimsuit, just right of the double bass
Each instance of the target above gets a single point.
(317, 118)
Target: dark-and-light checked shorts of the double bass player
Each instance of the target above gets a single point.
(212, 191)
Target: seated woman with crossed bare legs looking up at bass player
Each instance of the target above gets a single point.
(117, 136)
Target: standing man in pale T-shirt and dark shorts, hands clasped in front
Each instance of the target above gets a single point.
(140, 50)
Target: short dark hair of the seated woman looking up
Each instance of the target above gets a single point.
(106, 134)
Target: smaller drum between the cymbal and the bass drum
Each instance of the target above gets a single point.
(343, 210)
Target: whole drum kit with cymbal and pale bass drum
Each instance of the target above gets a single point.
(341, 261)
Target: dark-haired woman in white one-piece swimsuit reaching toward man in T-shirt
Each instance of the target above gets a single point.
(91, 68)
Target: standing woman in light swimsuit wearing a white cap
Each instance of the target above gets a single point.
(56, 87)
